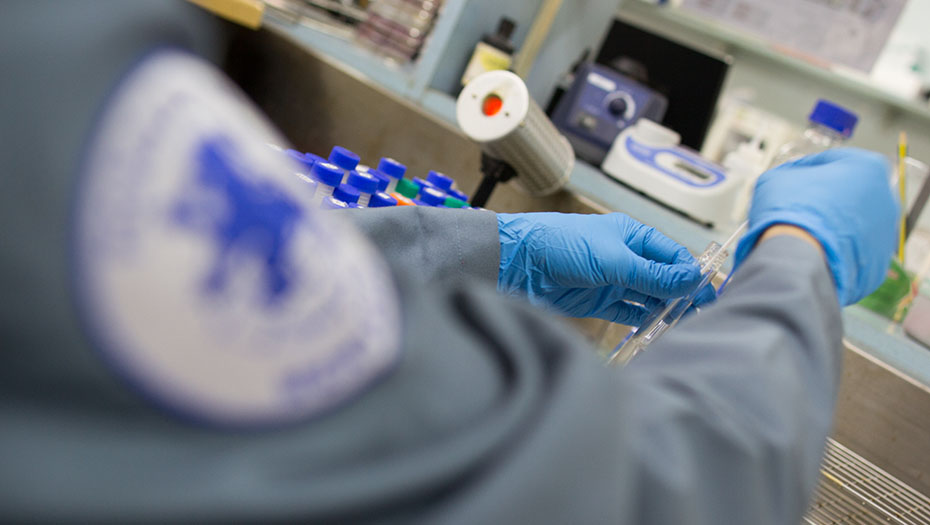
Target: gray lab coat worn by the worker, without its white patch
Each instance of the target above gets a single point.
(496, 413)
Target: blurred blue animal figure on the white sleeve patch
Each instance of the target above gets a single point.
(245, 216)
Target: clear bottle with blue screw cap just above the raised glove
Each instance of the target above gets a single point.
(829, 125)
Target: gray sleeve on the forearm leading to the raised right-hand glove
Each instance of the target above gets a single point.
(732, 409)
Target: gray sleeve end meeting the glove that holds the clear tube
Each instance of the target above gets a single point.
(434, 244)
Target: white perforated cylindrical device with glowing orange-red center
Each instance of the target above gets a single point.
(516, 138)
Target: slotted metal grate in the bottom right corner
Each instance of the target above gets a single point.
(854, 491)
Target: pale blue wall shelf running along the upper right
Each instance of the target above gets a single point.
(669, 21)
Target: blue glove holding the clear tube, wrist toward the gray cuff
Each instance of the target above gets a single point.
(593, 265)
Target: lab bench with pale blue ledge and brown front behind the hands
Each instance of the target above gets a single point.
(319, 99)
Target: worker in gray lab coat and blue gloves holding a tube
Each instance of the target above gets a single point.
(185, 339)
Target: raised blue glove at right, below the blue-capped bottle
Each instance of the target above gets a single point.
(843, 199)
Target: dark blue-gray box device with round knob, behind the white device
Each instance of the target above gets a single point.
(600, 104)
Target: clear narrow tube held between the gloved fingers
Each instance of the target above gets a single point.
(664, 317)
